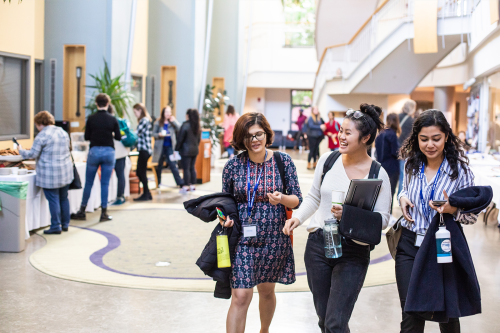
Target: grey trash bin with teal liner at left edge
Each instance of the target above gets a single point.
(13, 216)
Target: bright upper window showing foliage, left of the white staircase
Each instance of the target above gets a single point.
(299, 22)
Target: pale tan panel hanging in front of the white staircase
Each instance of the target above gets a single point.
(425, 26)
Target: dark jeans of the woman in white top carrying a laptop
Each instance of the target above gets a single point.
(335, 283)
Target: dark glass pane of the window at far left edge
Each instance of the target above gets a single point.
(14, 110)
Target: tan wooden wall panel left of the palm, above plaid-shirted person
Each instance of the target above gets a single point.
(74, 56)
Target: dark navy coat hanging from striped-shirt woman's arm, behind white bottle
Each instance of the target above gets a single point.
(438, 292)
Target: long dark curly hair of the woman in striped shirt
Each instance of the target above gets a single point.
(452, 147)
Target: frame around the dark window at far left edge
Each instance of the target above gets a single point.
(25, 97)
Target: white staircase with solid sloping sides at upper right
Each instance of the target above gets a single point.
(379, 59)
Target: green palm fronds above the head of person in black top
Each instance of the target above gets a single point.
(115, 88)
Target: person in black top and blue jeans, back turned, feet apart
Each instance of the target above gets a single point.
(100, 130)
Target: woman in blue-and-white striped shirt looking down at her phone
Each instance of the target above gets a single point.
(436, 167)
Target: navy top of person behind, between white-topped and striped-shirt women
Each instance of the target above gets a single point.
(387, 148)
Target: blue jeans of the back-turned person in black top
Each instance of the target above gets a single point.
(103, 157)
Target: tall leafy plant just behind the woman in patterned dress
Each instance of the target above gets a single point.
(210, 104)
